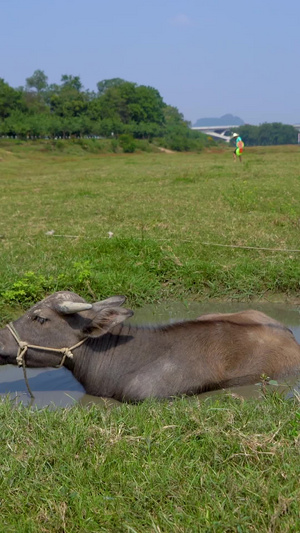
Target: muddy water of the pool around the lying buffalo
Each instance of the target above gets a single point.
(58, 387)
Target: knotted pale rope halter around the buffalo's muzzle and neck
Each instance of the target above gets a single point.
(23, 347)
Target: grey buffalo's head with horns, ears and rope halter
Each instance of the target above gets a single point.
(60, 321)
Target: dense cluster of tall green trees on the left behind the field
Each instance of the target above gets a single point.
(118, 107)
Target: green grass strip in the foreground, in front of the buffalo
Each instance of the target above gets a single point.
(182, 466)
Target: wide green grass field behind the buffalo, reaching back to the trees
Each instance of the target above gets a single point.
(162, 209)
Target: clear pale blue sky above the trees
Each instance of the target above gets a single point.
(207, 58)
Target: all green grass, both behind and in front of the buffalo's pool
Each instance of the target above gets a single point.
(226, 465)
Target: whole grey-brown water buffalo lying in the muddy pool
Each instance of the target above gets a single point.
(130, 363)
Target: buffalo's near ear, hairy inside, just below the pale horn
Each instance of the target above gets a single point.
(105, 319)
